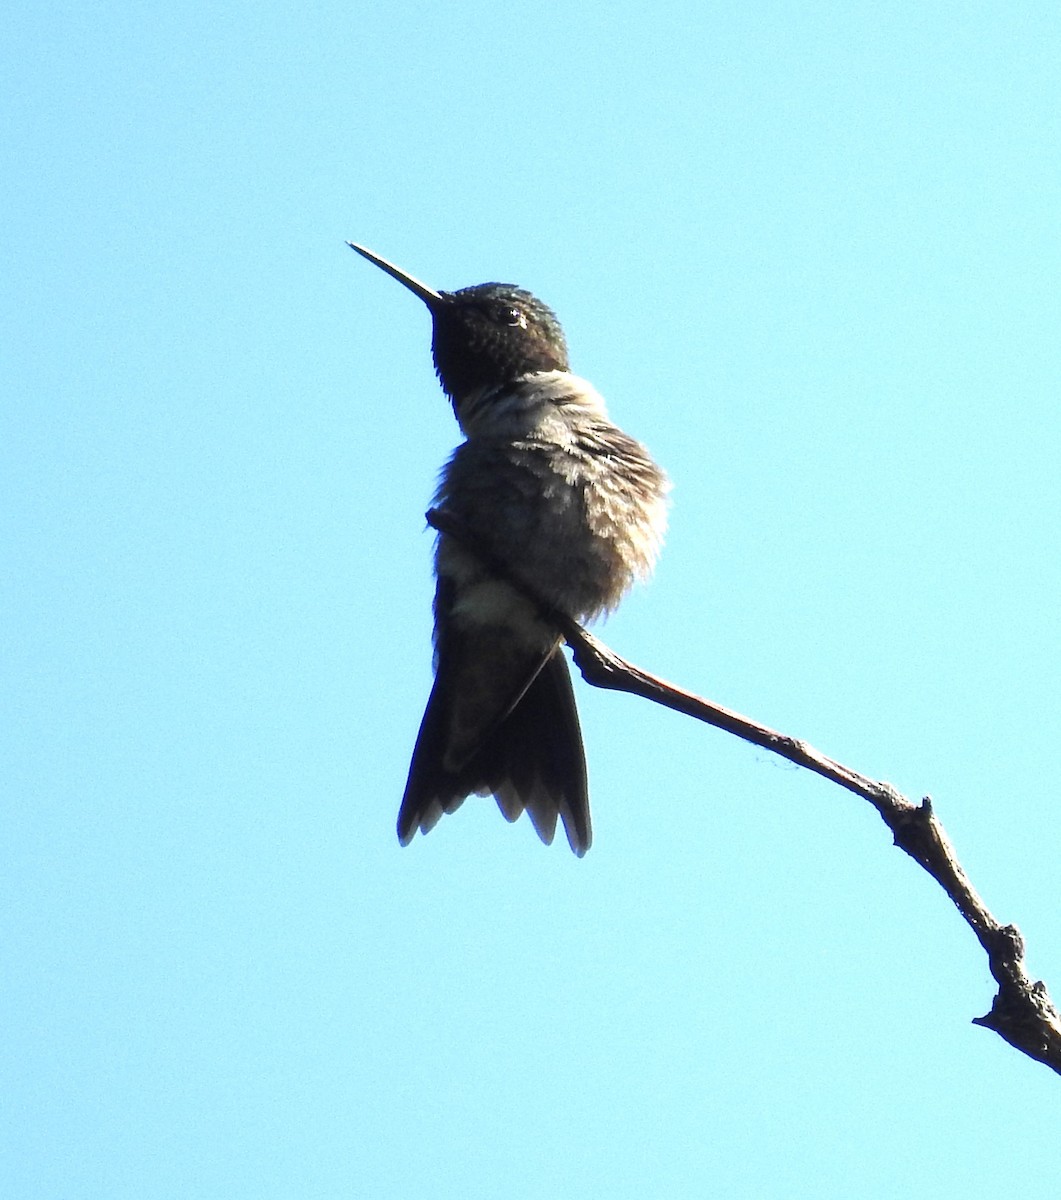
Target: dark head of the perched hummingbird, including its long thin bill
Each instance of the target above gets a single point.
(487, 335)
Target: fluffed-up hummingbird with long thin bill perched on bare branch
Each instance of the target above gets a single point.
(572, 507)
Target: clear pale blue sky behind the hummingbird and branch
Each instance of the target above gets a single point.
(811, 256)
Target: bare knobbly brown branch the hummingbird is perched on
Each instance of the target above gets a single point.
(1022, 1011)
